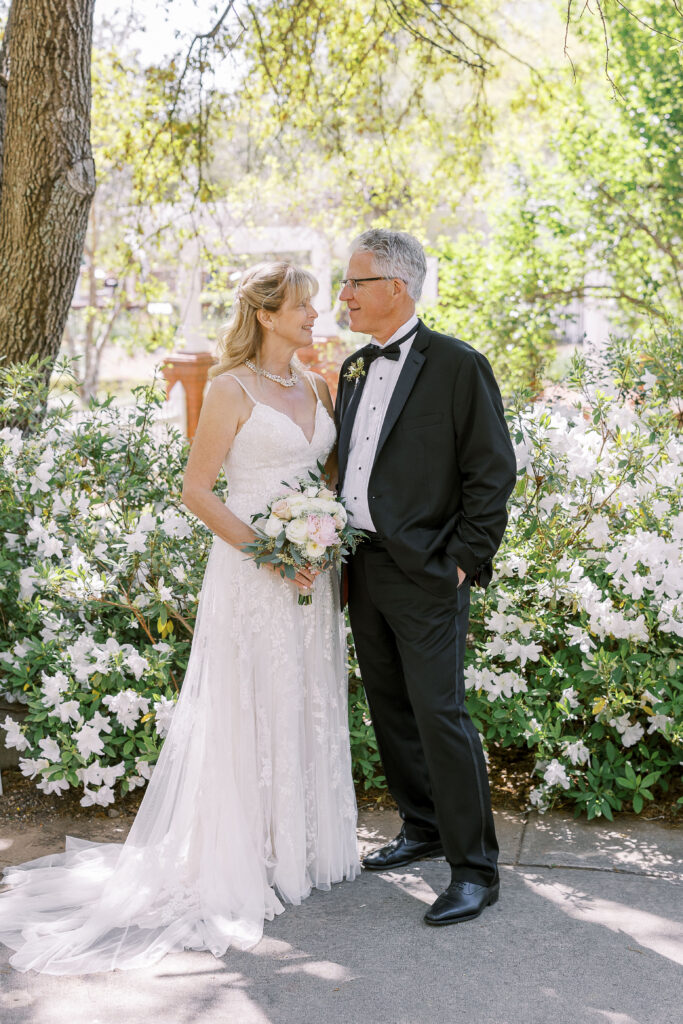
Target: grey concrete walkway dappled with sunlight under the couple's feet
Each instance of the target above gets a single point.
(588, 931)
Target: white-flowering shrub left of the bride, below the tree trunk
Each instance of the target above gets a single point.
(100, 572)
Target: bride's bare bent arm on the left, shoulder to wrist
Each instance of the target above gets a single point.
(226, 408)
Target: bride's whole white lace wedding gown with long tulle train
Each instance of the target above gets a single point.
(251, 803)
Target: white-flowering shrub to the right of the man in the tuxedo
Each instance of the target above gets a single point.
(577, 645)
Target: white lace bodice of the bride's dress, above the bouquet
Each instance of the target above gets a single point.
(271, 448)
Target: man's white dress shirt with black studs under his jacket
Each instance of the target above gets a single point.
(380, 382)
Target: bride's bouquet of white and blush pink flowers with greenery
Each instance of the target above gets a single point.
(306, 527)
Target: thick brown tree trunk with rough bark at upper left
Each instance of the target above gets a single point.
(49, 178)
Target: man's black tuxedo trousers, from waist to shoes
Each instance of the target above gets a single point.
(411, 649)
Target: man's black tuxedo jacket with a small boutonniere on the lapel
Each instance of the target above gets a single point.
(445, 465)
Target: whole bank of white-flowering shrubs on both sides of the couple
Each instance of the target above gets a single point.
(575, 649)
